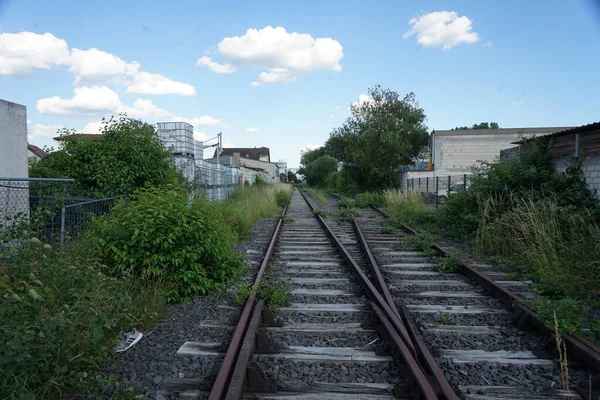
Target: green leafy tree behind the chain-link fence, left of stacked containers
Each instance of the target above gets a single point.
(129, 156)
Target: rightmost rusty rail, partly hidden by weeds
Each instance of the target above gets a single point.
(579, 347)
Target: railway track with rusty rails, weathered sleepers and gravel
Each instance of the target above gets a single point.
(372, 319)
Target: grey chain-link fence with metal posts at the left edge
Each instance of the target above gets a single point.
(58, 216)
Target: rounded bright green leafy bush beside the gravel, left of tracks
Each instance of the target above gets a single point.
(161, 236)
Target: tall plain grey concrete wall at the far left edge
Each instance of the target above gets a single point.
(14, 196)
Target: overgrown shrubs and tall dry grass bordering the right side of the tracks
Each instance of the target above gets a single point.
(544, 223)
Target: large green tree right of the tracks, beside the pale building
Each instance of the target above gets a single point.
(379, 136)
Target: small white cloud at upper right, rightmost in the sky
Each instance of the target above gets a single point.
(443, 29)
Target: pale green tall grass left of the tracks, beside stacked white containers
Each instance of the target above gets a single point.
(248, 204)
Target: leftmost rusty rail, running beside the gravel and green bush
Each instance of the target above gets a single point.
(230, 362)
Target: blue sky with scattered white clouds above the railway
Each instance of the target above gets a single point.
(519, 63)
